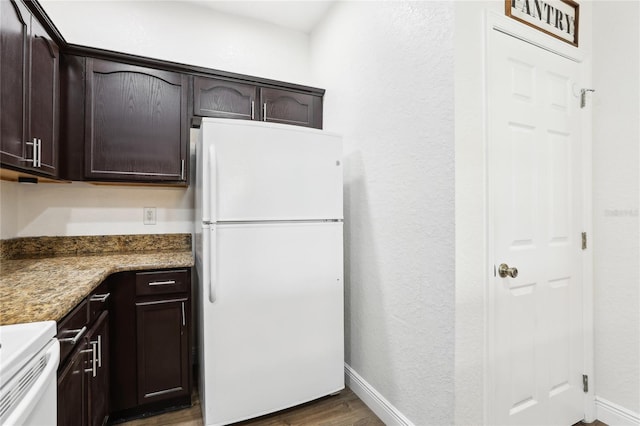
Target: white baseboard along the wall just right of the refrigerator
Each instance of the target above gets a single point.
(376, 402)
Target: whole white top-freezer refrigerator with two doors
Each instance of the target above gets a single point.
(269, 262)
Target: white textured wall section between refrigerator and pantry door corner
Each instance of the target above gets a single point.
(388, 71)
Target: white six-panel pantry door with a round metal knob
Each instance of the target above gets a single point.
(535, 318)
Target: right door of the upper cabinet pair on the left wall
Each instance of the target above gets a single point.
(44, 95)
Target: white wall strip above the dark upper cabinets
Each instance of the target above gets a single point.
(187, 33)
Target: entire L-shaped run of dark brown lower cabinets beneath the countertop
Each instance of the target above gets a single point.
(125, 349)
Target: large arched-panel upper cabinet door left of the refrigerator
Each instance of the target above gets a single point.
(136, 123)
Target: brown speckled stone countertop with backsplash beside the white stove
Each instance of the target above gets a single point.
(48, 287)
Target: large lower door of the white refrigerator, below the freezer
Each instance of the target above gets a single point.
(274, 335)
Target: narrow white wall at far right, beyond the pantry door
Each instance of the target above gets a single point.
(616, 239)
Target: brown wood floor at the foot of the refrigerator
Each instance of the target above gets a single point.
(340, 410)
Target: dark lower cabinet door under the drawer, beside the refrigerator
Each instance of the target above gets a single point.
(163, 338)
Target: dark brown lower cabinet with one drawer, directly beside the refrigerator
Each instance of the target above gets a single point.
(150, 342)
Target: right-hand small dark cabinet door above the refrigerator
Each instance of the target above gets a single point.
(299, 109)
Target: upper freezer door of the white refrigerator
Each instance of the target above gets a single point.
(270, 172)
